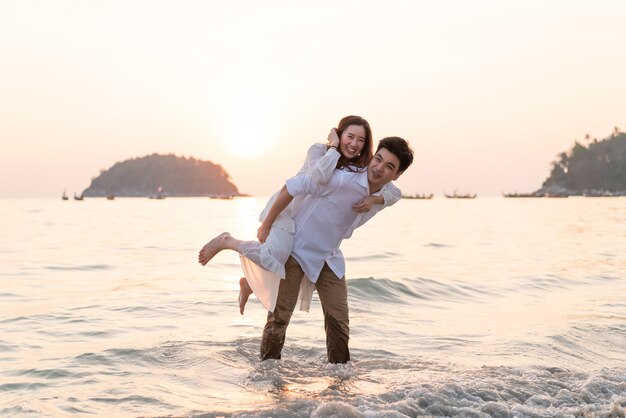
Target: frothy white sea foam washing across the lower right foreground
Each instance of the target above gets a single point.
(486, 392)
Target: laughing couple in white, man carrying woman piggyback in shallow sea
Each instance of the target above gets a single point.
(339, 188)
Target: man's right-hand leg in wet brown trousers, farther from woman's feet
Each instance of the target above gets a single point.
(333, 294)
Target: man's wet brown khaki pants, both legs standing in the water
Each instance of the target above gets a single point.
(333, 294)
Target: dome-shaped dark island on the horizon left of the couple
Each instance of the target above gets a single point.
(165, 175)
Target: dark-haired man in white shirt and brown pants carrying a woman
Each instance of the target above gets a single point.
(322, 221)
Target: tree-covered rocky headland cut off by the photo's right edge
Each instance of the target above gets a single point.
(597, 169)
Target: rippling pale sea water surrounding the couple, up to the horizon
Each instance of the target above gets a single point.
(489, 307)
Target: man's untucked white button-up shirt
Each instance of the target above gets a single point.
(326, 217)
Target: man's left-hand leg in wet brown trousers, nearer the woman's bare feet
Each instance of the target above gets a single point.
(276, 326)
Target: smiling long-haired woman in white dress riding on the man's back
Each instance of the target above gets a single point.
(349, 148)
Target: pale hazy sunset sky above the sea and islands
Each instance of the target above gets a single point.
(486, 92)
